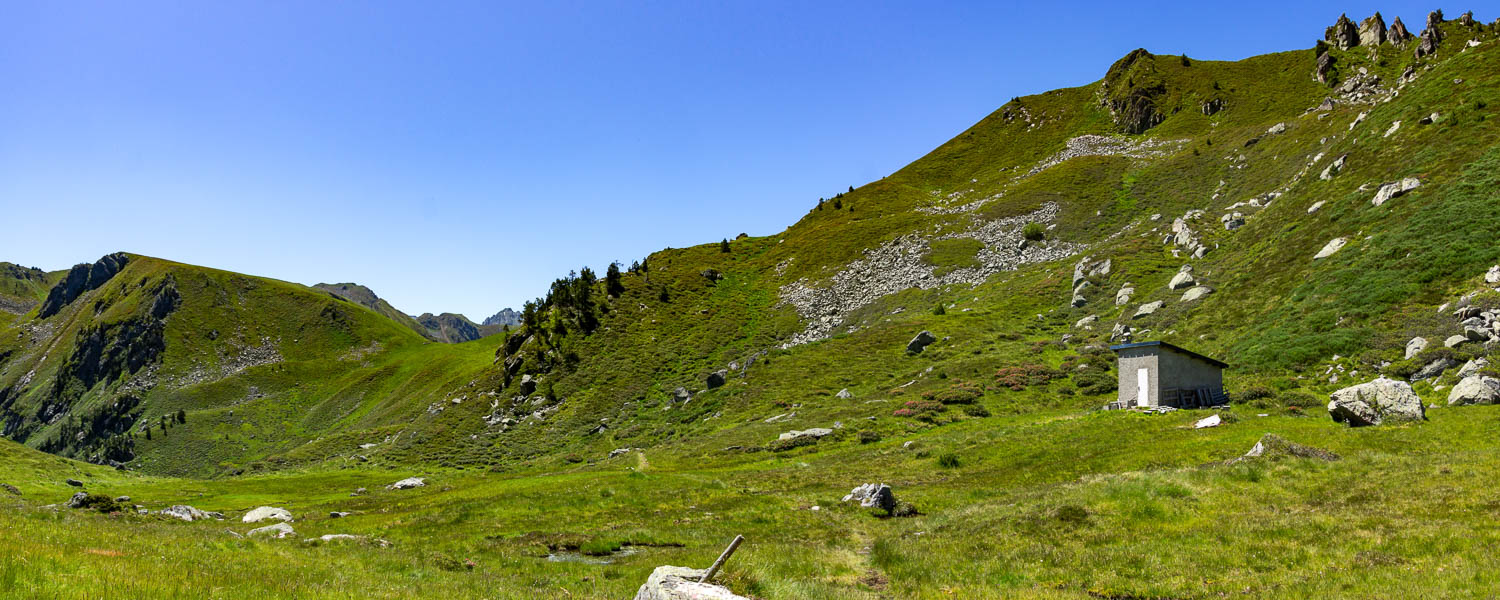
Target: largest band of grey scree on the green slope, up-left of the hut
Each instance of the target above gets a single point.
(901, 265)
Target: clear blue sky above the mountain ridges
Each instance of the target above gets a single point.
(460, 157)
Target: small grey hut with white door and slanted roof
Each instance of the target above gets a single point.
(1159, 374)
